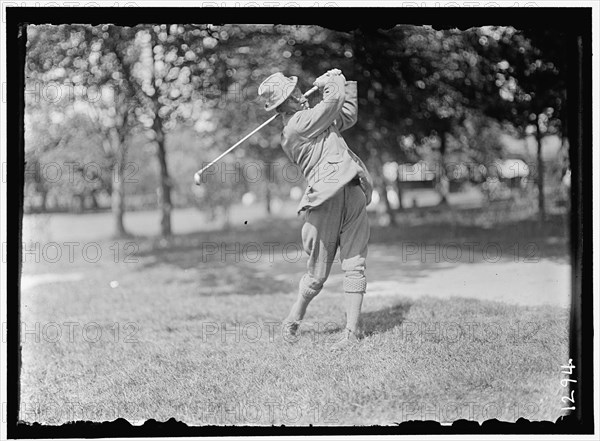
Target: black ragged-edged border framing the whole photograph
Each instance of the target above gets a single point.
(576, 21)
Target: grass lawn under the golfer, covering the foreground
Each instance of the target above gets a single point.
(195, 338)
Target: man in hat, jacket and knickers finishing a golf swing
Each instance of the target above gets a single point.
(339, 189)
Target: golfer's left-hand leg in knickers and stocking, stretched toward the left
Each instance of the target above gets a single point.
(320, 241)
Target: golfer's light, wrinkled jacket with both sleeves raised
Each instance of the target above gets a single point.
(311, 138)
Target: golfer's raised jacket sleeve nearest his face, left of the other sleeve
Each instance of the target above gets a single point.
(311, 122)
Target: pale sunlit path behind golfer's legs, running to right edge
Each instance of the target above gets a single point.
(544, 281)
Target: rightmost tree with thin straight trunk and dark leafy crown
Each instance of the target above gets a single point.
(527, 70)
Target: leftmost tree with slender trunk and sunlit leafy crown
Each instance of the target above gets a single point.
(83, 62)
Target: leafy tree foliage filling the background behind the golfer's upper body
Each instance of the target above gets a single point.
(187, 92)
